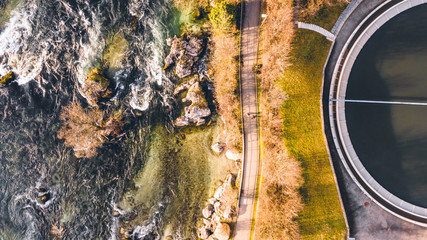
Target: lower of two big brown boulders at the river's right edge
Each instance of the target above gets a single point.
(198, 110)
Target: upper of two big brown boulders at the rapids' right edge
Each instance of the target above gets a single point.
(185, 52)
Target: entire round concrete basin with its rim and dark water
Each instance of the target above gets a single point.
(384, 146)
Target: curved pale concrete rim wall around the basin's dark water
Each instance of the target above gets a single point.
(337, 117)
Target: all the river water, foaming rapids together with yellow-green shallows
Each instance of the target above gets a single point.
(151, 175)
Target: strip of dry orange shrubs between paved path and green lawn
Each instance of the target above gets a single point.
(279, 200)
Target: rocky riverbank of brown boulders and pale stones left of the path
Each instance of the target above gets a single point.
(220, 211)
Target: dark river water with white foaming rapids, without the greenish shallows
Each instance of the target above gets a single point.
(50, 46)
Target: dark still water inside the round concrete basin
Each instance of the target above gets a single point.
(391, 140)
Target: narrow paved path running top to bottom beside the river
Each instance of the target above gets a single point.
(250, 121)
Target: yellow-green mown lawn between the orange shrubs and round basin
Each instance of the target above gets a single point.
(321, 216)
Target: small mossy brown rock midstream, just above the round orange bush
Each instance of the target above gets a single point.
(97, 87)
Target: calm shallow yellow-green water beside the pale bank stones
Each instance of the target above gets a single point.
(181, 172)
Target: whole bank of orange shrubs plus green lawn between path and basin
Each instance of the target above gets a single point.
(298, 196)
